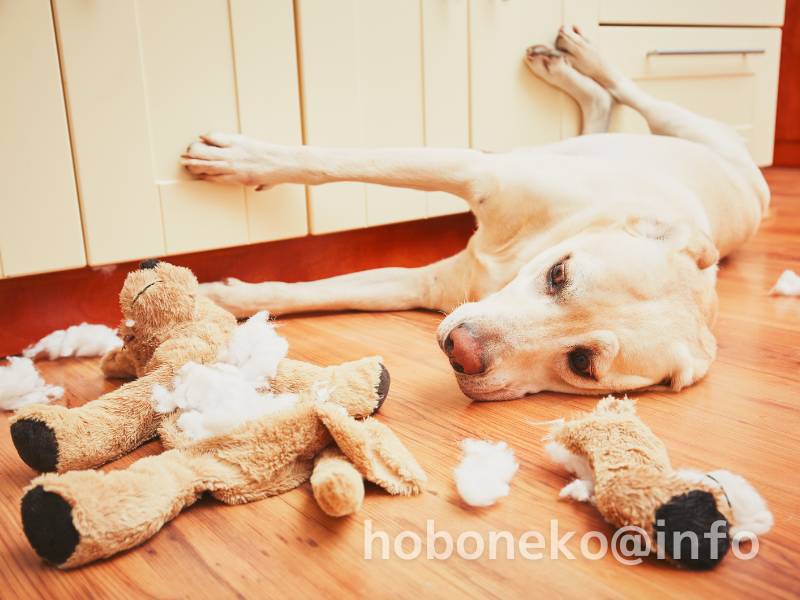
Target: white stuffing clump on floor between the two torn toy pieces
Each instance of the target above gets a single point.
(485, 471)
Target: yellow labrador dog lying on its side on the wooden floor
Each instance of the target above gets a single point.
(594, 264)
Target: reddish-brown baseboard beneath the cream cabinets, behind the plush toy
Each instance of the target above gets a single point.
(34, 306)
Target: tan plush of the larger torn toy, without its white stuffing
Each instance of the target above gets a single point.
(76, 517)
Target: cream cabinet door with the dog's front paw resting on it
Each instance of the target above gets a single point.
(143, 79)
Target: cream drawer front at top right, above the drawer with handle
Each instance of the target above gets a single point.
(692, 12)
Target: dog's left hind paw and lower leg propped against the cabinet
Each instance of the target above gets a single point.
(595, 102)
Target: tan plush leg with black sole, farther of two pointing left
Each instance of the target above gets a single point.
(57, 438)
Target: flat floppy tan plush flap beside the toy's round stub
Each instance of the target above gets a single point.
(374, 450)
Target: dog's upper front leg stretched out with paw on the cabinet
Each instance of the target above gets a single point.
(233, 158)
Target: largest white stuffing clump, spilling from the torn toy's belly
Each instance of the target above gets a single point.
(214, 399)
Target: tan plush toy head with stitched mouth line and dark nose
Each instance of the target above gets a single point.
(158, 295)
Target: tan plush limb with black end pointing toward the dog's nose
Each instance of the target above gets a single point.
(360, 386)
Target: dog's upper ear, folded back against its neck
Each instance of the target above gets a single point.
(680, 235)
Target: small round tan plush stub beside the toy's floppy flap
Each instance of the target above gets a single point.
(338, 487)
